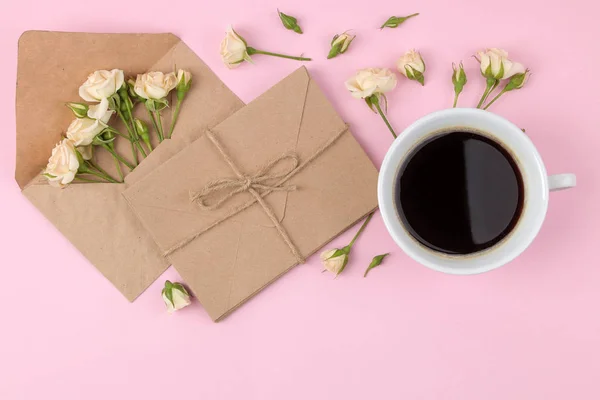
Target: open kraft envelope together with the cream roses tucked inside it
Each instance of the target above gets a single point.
(74, 168)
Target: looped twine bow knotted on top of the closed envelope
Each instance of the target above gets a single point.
(257, 182)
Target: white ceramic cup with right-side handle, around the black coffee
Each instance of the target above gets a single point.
(537, 185)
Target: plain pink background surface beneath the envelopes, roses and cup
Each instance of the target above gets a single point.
(530, 330)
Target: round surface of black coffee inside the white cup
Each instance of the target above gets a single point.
(459, 193)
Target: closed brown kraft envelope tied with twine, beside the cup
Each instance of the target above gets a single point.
(229, 253)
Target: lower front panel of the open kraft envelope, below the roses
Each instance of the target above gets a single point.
(117, 244)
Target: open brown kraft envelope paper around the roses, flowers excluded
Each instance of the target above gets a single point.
(95, 217)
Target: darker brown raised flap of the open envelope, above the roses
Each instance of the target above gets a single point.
(51, 66)
